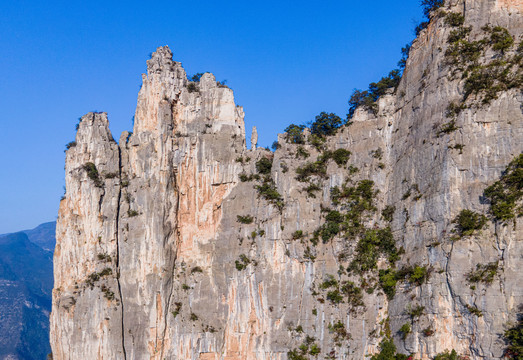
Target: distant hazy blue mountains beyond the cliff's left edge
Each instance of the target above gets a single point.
(26, 282)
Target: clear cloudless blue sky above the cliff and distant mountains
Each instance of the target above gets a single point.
(285, 60)
